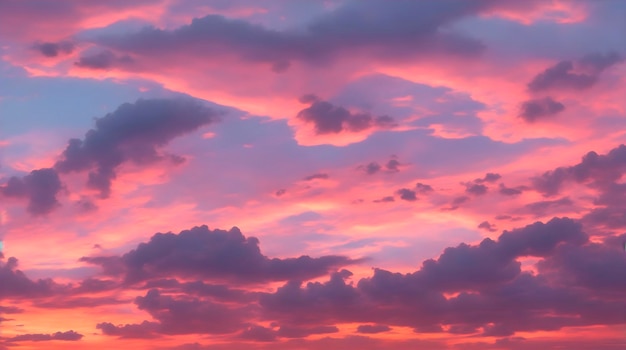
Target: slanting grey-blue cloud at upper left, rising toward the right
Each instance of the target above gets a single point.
(133, 132)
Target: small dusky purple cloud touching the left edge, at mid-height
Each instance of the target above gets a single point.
(40, 187)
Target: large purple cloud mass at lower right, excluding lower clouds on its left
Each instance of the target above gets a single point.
(492, 288)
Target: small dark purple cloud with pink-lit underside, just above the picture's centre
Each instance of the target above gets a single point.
(330, 119)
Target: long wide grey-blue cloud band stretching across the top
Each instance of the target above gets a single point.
(399, 30)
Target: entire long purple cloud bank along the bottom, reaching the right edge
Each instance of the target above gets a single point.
(577, 283)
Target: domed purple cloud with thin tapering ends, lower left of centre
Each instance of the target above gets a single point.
(212, 254)
